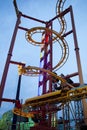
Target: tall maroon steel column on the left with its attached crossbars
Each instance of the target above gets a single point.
(9, 56)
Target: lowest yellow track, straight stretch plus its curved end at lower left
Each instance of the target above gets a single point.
(51, 98)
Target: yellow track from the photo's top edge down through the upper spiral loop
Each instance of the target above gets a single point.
(56, 36)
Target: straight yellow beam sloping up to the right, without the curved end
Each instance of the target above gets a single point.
(57, 97)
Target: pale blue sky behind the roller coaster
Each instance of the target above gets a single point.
(29, 54)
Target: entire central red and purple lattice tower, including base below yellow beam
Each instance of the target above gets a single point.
(45, 80)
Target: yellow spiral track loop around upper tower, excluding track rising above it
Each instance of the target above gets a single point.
(56, 37)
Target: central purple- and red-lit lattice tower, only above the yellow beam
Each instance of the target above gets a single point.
(46, 62)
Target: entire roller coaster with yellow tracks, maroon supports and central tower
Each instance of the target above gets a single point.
(67, 97)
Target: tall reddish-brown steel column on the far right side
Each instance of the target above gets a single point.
(78, 63)
